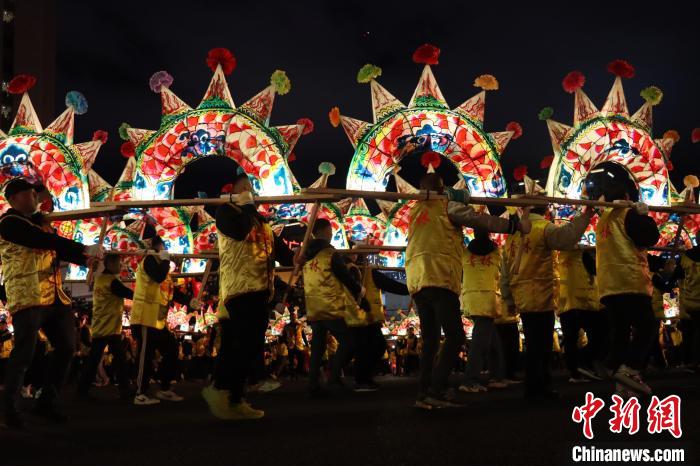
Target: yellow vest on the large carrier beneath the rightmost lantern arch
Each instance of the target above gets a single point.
(622, 268)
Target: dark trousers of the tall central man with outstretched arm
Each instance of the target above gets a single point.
(438, 308)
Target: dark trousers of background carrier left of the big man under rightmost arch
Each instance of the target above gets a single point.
(593, 322)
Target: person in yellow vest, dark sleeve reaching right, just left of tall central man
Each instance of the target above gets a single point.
(370, 341)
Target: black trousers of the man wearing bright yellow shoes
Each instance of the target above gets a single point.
(242, 341)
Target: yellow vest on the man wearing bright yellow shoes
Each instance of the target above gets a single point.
(245, 266)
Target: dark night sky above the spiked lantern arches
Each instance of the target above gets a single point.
(108, 50)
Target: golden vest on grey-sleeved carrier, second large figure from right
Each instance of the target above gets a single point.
(535, 286)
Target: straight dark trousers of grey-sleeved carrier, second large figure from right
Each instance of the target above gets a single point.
(538, 328)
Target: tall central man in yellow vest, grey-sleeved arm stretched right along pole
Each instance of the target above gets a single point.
(434, 279)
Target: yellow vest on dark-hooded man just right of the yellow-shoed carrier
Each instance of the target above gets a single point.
(326, 297)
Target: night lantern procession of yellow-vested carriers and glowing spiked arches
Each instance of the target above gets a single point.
(454, 274)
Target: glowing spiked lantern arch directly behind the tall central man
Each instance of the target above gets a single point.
(427, 125)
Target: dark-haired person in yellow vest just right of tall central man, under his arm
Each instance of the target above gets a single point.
(481, 302)
